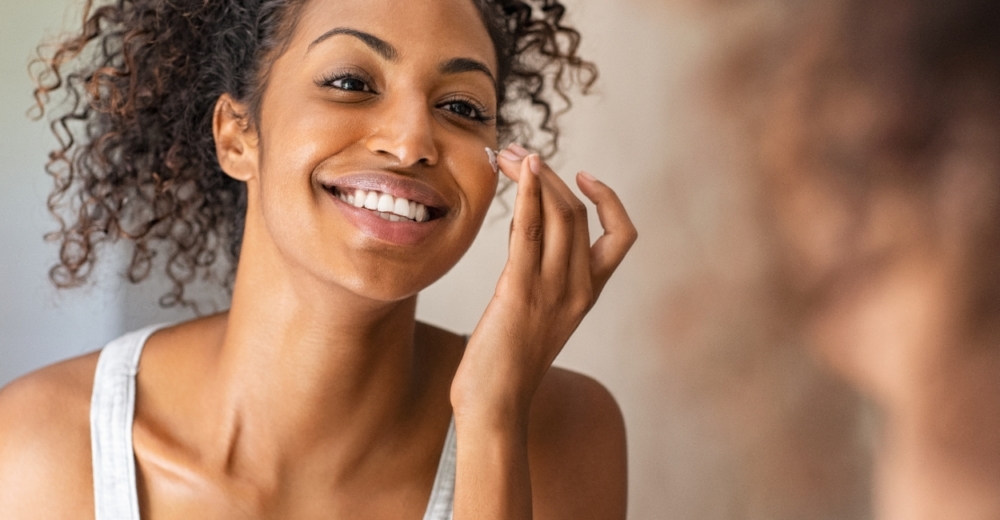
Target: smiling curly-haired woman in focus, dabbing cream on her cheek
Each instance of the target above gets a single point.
(337, 149)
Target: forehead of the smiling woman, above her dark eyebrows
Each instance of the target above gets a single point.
(409, 27)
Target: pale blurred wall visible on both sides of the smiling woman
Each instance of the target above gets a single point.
(727, 417)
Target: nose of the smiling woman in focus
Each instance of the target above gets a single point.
(405, 132)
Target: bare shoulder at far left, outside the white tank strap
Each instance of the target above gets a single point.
(45, 468)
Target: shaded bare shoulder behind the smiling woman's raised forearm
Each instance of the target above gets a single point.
(576, 444)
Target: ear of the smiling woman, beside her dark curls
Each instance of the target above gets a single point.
(235, 140)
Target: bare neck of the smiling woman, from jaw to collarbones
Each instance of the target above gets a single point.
(305, 365)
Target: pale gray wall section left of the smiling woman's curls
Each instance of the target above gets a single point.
(37, 324)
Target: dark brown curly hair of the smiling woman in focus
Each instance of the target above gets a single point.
(136, 158)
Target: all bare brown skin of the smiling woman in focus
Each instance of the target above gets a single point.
(318, 395)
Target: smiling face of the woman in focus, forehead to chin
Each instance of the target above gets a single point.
(372, 169)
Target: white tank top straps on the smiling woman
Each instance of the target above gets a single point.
(112, 409)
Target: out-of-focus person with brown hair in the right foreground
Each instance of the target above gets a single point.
(880, 140)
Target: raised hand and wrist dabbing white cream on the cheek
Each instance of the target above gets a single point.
(552, 278)
